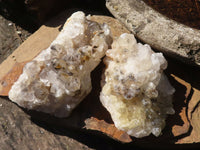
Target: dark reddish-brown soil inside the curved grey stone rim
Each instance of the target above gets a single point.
(184, 11)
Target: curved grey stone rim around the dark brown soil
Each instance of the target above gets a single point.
(161, 33)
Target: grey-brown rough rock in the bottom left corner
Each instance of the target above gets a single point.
(19, 132)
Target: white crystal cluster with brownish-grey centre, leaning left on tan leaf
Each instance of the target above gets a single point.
(58, 78)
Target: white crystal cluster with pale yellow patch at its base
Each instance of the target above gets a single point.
(135, 90)
